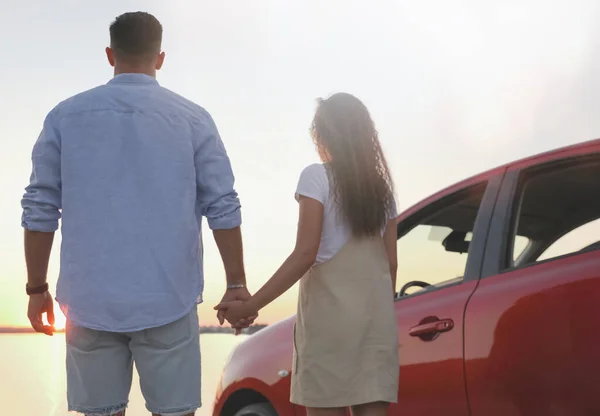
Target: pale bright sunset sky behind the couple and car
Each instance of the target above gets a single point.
(455, 88)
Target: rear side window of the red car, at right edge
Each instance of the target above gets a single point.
(558, 211)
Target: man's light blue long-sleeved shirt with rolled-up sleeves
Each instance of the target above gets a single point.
(133, 167)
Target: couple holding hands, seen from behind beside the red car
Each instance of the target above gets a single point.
(132, 168)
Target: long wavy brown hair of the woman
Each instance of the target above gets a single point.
(362, 186)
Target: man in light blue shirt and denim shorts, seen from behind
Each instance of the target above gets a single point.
(133, 167)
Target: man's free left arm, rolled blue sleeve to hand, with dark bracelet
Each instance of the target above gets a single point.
(41, 213)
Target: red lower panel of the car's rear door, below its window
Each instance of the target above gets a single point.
(518, 360)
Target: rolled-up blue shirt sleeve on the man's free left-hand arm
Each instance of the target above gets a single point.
(43, 197)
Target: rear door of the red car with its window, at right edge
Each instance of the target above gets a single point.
(532, 327)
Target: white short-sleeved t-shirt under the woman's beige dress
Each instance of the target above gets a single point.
(314, 183)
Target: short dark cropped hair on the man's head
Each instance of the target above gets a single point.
(136, 35)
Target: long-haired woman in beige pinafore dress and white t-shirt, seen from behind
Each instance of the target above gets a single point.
(345, 338)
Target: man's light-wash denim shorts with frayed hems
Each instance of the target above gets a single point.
(167, 358)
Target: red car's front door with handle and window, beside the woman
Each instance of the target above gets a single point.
(440, 243)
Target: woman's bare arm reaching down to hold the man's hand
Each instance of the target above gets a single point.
(308, 238)
